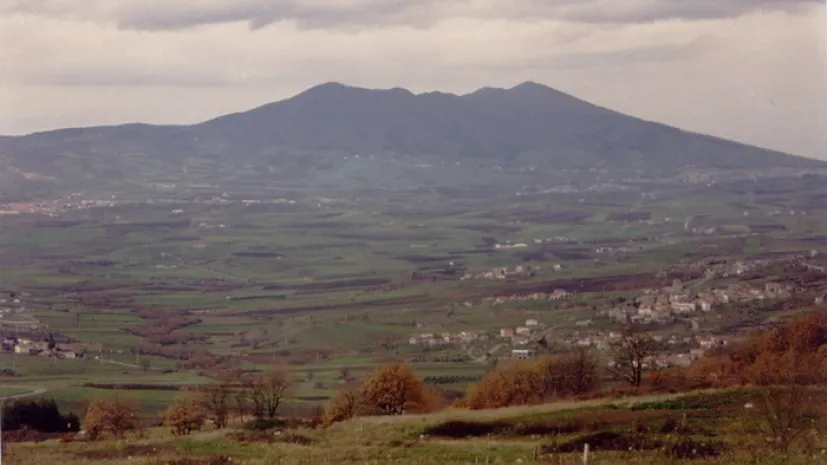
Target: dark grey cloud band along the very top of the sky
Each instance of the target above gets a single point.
(356, 14)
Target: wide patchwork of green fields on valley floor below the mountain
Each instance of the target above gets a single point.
(323, 287)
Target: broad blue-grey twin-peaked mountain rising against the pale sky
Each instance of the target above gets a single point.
(528, 125)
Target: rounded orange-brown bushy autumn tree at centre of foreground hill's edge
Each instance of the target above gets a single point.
(392, 389)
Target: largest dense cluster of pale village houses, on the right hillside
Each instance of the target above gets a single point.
(658, 306)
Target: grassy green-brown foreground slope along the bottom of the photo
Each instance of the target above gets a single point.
(712, 427)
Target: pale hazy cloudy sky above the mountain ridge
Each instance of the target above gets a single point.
(750, 70)
